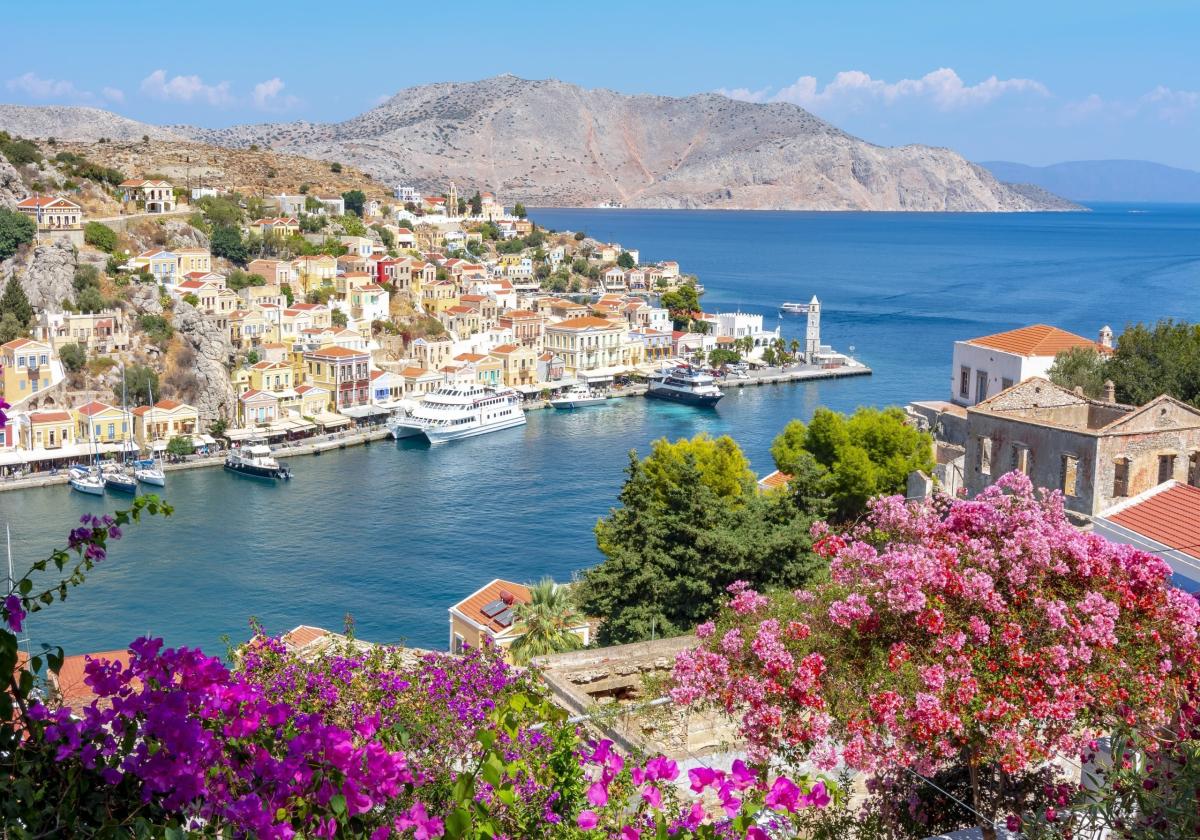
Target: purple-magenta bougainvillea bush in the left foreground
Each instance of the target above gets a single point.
(359, 742)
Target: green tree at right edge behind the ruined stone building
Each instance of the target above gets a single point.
(1150, 362)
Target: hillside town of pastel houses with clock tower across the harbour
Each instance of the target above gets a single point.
(159, 317)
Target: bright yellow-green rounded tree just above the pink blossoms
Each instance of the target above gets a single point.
(851, 460)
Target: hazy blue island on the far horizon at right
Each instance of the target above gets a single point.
(1106, 181)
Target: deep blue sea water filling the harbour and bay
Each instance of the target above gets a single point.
(389, 536)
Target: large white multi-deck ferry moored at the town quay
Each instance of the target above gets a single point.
(454, 412)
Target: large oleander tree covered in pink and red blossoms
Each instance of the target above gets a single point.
(988, 635)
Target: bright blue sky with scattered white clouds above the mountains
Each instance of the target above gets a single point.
(1030, 82)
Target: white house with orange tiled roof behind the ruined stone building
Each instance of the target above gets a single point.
(986, 367)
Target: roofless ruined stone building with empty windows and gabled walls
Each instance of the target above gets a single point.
(1097, 453)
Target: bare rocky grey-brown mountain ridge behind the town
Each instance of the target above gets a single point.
(555, 145)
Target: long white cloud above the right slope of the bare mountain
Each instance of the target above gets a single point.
(853, 88)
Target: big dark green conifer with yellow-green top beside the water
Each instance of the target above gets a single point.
(691, 523)
